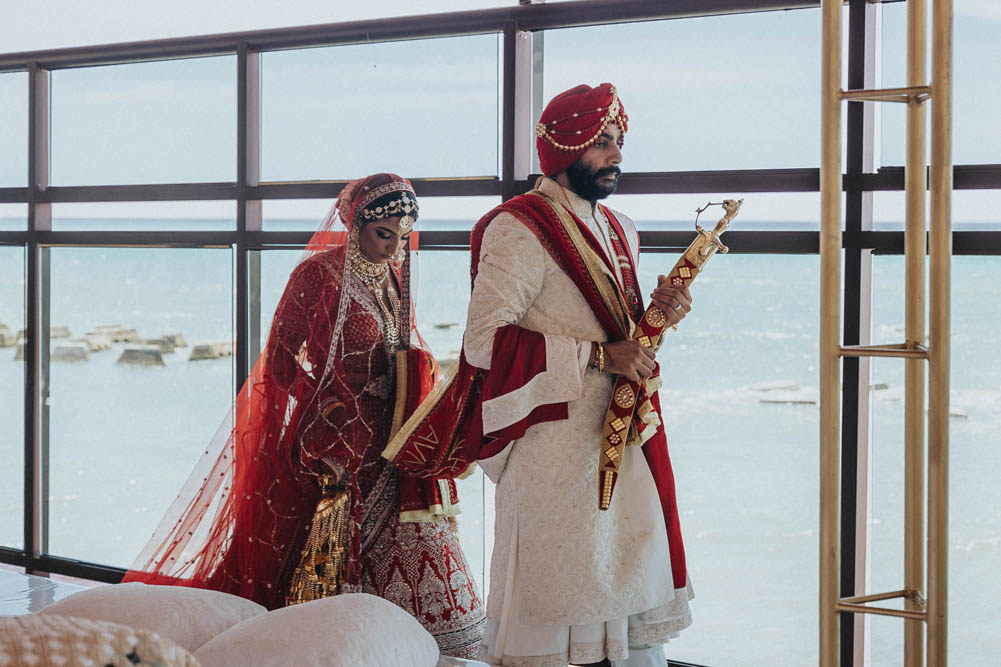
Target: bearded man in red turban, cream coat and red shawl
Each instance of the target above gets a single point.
(555, 299)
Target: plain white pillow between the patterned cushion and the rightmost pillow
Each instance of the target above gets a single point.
(188, 616)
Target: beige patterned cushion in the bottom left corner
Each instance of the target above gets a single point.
(36, 640)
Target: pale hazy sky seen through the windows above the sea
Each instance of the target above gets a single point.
(710, 94)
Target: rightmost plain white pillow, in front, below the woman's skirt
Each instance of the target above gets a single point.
(351, 630)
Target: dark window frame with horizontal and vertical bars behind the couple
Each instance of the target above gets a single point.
(519, 107)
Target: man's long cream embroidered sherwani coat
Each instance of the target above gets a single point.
(568, 581)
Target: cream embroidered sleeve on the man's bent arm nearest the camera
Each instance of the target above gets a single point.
(513, 270)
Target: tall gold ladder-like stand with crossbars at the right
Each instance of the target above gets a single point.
(925, 603)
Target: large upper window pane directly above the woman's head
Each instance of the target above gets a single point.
(418, 109)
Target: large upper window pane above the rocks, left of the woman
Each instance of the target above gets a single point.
(171, 122)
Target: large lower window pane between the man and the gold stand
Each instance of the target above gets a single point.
(743, 437)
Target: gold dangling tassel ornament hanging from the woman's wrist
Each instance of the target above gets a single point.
(321, 572)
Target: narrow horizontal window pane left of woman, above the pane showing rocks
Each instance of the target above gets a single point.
(145, 216)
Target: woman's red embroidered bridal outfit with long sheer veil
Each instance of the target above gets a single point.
(293, 500)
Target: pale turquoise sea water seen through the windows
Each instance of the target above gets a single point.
(124, 439)
